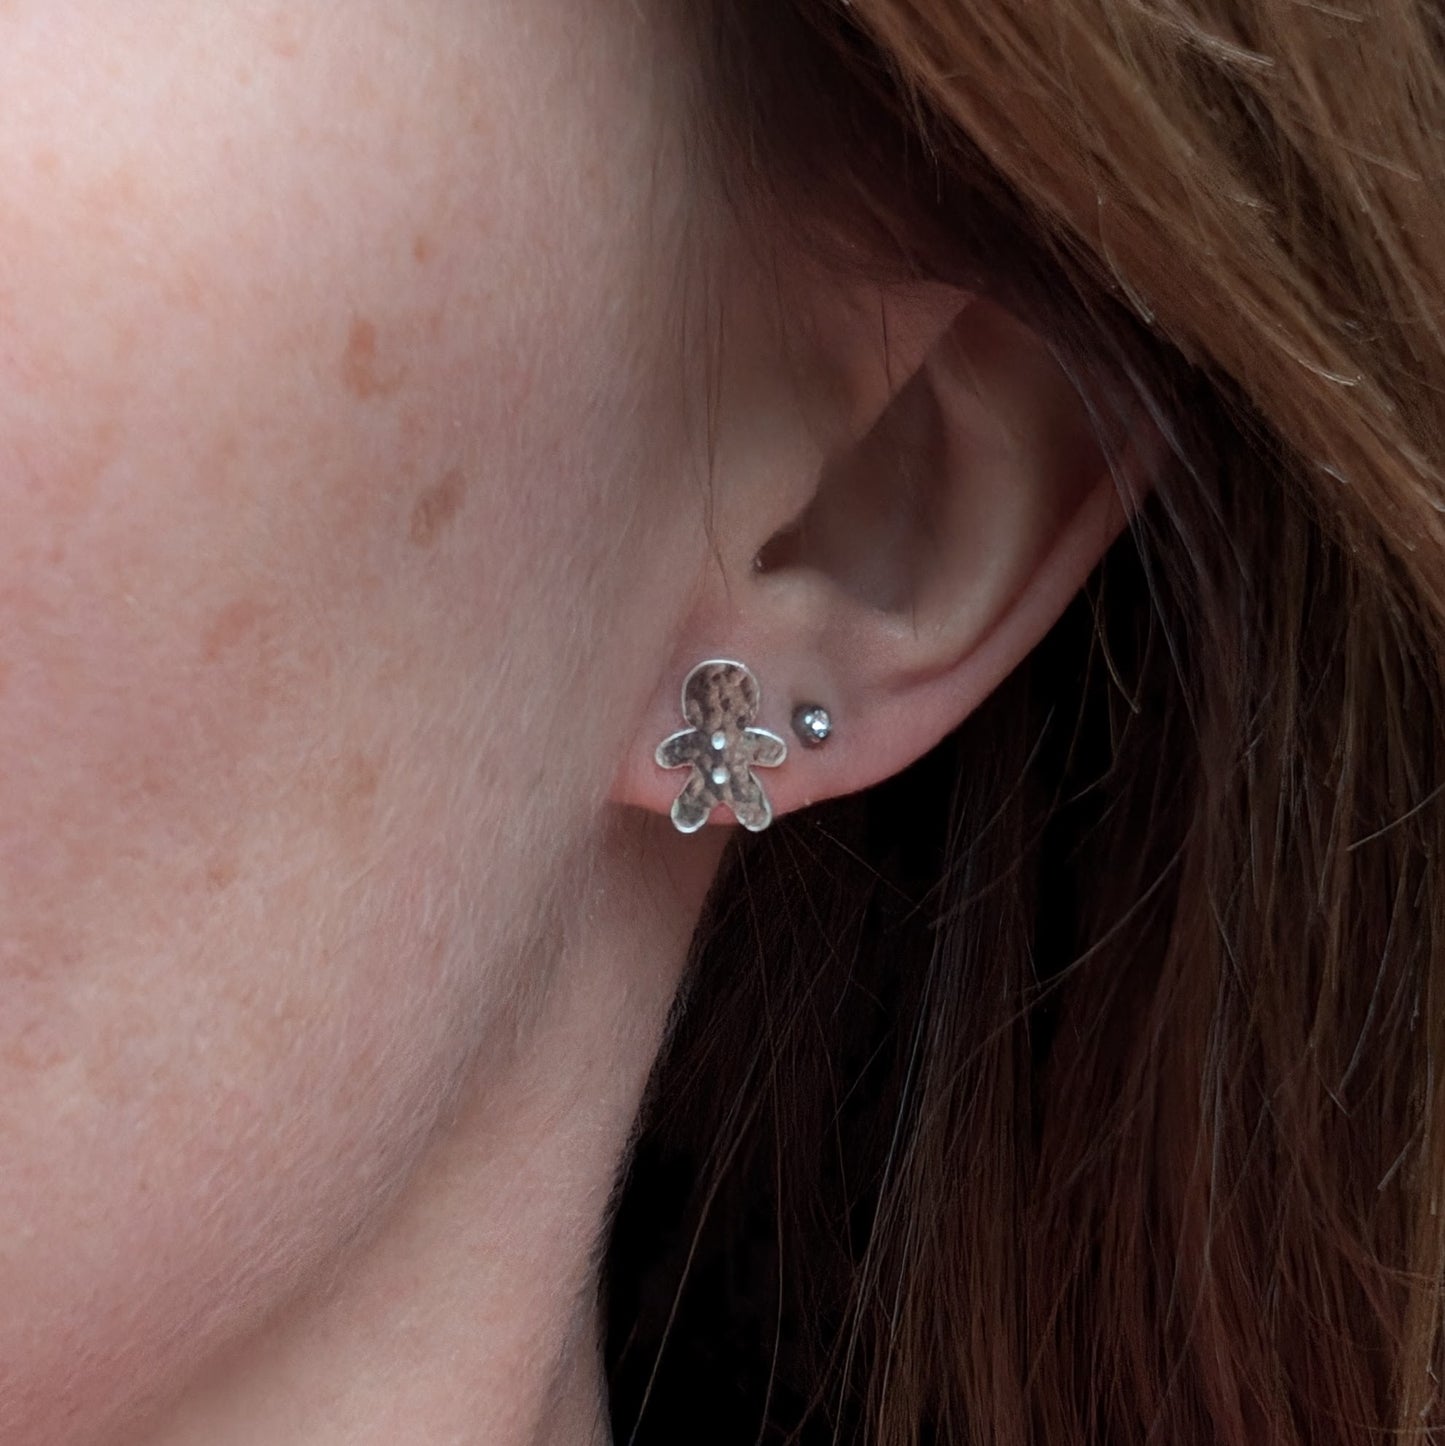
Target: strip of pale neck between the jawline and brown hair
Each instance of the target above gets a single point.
(471, 1314)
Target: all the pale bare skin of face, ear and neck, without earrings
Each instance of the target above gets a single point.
(352, 469)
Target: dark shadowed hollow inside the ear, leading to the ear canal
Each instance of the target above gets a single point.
(874, 520)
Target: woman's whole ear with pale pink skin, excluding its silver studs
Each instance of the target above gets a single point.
(957, 497)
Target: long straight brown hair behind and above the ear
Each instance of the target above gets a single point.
(1084, 1084)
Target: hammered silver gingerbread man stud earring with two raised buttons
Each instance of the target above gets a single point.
(722, 748)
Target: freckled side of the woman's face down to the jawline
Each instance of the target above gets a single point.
(316, 328)
